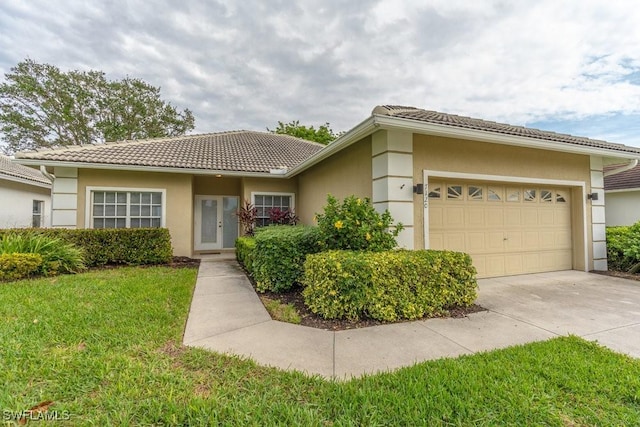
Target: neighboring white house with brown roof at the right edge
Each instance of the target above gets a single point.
(622, 193)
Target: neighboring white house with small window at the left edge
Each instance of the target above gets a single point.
(25, 196)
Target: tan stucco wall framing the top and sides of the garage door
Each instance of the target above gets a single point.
(454, 155)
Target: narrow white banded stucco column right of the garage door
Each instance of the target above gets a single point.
(598, 224)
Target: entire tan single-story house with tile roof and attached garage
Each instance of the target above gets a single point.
(519, 200)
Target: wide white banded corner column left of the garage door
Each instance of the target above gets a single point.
(392, 174)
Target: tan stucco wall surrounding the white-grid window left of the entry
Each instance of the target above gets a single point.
(179, 203)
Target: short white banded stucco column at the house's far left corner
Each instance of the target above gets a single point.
(64, 198)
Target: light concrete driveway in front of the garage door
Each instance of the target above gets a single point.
(596, 307)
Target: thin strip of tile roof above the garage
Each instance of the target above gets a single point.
(417, 114)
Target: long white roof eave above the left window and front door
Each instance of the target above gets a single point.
(134, 168)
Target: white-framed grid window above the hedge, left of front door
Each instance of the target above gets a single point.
(126, 209)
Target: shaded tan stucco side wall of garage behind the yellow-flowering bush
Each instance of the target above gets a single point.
(343, 174)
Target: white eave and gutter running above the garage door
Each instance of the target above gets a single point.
(386, 122)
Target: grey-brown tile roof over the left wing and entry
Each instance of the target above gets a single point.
(238, 151)
